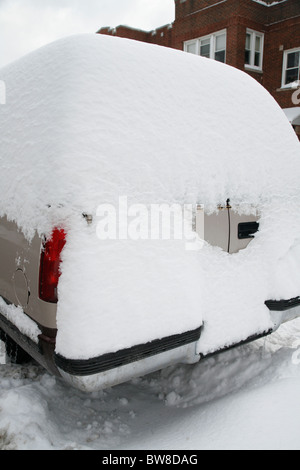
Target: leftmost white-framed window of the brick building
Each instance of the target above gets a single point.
(212, 46)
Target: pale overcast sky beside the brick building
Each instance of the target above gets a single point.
(28, 24)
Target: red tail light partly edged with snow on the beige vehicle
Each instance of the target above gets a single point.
(49, 266)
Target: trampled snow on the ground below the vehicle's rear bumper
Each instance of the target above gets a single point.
(246, 398)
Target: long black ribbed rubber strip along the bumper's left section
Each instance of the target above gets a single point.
(126, 356)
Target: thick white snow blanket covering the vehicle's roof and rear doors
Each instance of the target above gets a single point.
(91, 118)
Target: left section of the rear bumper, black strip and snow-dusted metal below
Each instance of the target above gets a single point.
(115, 368)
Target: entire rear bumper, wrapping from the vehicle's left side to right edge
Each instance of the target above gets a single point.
(115, 368)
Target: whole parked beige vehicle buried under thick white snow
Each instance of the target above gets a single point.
(102, 142)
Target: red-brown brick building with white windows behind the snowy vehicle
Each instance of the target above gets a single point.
(260, 37)
